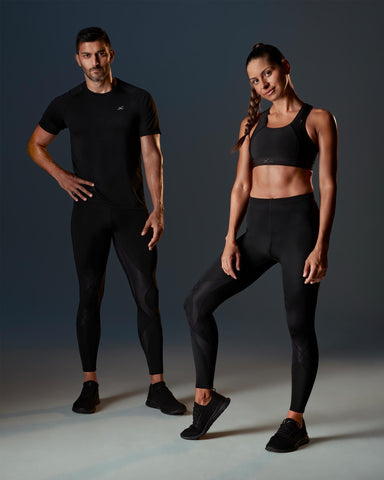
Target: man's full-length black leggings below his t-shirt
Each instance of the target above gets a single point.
(94, 224)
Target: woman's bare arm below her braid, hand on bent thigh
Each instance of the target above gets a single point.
(239, 201)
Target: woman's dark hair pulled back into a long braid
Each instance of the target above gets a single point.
(274, 56)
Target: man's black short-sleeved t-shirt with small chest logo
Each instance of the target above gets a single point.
(105, 131)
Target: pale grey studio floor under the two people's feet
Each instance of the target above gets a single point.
(41, 439)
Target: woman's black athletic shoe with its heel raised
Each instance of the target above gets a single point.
(204, 416)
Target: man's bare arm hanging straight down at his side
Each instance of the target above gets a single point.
(153, 166)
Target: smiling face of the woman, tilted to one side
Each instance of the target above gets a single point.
(268, 79)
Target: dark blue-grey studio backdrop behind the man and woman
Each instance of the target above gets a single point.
(190, 56)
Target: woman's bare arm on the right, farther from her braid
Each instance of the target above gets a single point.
(316, 264)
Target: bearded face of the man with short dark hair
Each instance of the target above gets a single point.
(95, 59)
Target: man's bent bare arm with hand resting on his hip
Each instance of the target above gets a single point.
(37, 150)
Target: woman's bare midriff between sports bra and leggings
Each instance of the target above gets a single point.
(280, 181)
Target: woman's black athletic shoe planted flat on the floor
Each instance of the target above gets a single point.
(288, 438)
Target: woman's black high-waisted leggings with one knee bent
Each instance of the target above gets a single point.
(281, 231)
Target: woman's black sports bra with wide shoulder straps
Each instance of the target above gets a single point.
(289, 145)
